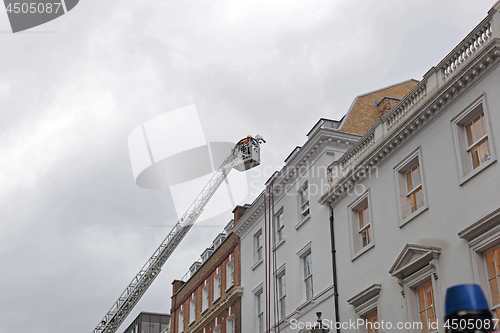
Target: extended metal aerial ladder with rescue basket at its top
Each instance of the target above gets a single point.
(244, 156)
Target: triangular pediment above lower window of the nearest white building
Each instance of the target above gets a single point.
(412, 258)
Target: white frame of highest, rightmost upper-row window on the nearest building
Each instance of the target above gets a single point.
(465, 168)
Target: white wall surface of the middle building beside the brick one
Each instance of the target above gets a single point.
(316, 230)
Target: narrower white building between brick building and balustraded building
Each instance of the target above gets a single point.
(286, 262)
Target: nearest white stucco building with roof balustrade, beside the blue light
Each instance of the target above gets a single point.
(416, 200)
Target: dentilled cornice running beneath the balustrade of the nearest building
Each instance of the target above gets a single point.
(486, 60)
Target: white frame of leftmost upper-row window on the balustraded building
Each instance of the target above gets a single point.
(357, 247)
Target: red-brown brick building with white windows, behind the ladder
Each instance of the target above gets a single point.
(210, 299)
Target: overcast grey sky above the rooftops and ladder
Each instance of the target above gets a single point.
(74, 226)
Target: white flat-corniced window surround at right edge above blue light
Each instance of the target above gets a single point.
(482, 236)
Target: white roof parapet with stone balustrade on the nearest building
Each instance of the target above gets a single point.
(439, 81)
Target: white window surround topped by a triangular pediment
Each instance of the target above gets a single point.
(414, 274)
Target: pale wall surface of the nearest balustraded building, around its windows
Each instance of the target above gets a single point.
(451, 208)
